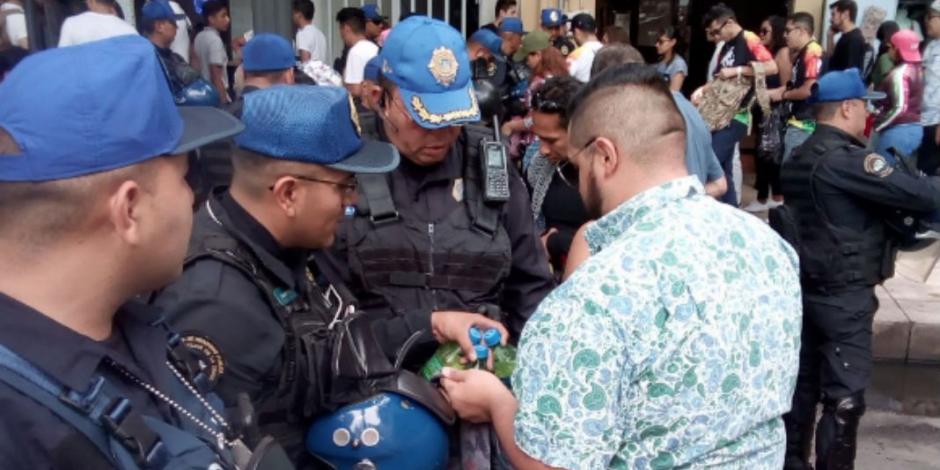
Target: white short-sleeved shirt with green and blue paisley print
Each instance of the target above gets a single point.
(675, 345)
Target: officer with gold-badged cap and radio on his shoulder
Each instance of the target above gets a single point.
(424, 237)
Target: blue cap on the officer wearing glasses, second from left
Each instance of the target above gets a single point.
(312, 124)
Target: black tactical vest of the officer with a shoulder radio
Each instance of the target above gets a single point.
(403, 263)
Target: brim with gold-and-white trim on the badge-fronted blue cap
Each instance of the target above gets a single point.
(437, 110)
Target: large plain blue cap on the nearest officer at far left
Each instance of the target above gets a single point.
(112, 110)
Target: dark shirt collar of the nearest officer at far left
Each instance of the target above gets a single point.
(68, 356)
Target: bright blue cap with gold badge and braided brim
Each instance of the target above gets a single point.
(427, 59)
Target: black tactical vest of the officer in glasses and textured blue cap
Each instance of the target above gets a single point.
(330, 357)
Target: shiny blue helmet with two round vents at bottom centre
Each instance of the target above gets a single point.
(380, 433)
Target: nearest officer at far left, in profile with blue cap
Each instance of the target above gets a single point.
(94, 209)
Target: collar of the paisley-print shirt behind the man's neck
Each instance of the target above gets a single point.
(611, 227)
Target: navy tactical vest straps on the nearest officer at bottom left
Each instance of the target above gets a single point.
(127, 439)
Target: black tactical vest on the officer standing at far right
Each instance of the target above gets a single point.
(831, 257)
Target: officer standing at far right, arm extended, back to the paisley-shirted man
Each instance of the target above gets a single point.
(839, 194)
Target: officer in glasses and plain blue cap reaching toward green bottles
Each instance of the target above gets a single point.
(247, 303)
